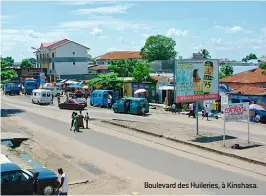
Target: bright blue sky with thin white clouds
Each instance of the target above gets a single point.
(226, 29)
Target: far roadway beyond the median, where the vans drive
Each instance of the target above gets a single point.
(237, 129)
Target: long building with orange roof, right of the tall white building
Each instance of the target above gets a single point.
(117, 55)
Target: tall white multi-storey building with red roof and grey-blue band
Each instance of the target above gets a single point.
(65, 59)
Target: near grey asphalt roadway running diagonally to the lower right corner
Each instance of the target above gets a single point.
(174, 166)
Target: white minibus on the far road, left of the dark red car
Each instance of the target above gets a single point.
(41, 96)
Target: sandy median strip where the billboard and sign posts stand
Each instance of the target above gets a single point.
(252, 152)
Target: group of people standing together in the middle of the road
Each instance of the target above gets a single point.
(77, 121)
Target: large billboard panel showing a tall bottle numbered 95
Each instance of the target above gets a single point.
(196, 80)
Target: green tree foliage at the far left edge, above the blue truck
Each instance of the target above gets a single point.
(6, 72)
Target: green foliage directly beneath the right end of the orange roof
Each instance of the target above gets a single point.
(123, 68)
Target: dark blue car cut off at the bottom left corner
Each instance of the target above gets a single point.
(18, 181)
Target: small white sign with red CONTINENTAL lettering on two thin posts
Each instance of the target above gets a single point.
(236, 111)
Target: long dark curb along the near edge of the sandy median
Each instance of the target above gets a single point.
(190, 144)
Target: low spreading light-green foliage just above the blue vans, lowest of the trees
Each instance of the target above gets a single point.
(108, 81)
